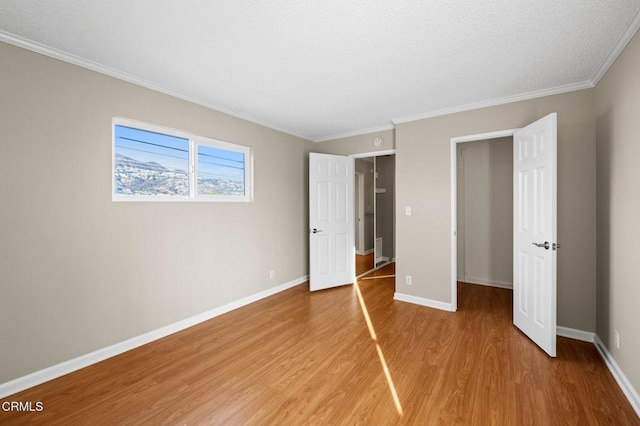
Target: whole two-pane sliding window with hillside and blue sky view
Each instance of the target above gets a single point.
(156, 164)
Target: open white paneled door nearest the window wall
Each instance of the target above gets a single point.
(331, 221)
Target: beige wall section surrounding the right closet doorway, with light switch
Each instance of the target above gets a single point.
(423, 182)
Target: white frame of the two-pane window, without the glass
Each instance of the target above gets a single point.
(194, 142)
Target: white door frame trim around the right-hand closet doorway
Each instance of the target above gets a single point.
(454, 206)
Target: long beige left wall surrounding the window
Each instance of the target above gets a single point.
(79, 272)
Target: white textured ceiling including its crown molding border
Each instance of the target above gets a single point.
(330, 68)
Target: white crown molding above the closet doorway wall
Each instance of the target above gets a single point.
(498, 101)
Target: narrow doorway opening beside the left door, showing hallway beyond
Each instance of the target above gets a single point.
(374, 211)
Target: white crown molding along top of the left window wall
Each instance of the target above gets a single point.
(51, 52)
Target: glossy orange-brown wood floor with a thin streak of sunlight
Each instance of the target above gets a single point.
(317, 358)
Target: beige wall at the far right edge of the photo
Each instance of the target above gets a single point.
(618, 169)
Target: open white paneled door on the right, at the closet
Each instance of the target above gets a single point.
(535, 231)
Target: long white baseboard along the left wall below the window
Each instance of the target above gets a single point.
(53, 372)
